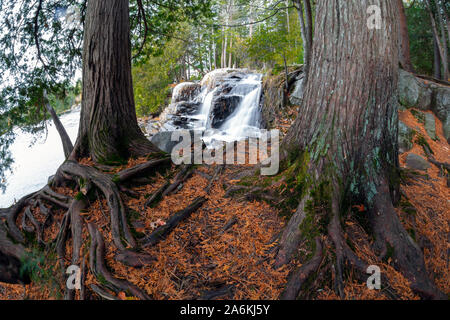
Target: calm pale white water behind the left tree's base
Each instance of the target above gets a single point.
(34, 164)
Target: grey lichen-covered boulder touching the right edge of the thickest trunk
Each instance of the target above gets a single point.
(413, 92)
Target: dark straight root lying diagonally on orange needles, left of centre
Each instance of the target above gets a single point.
(160, 233)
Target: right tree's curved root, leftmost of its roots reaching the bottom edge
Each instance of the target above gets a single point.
(302, 274)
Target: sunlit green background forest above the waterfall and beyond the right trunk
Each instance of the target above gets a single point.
(259, 35)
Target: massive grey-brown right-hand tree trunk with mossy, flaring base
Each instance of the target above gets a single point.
(347, 133)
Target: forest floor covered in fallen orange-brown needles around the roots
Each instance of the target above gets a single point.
(224, 250)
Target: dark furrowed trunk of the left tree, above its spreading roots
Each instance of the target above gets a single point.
(108, 129)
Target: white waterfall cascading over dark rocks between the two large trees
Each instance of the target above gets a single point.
(225, 106)
